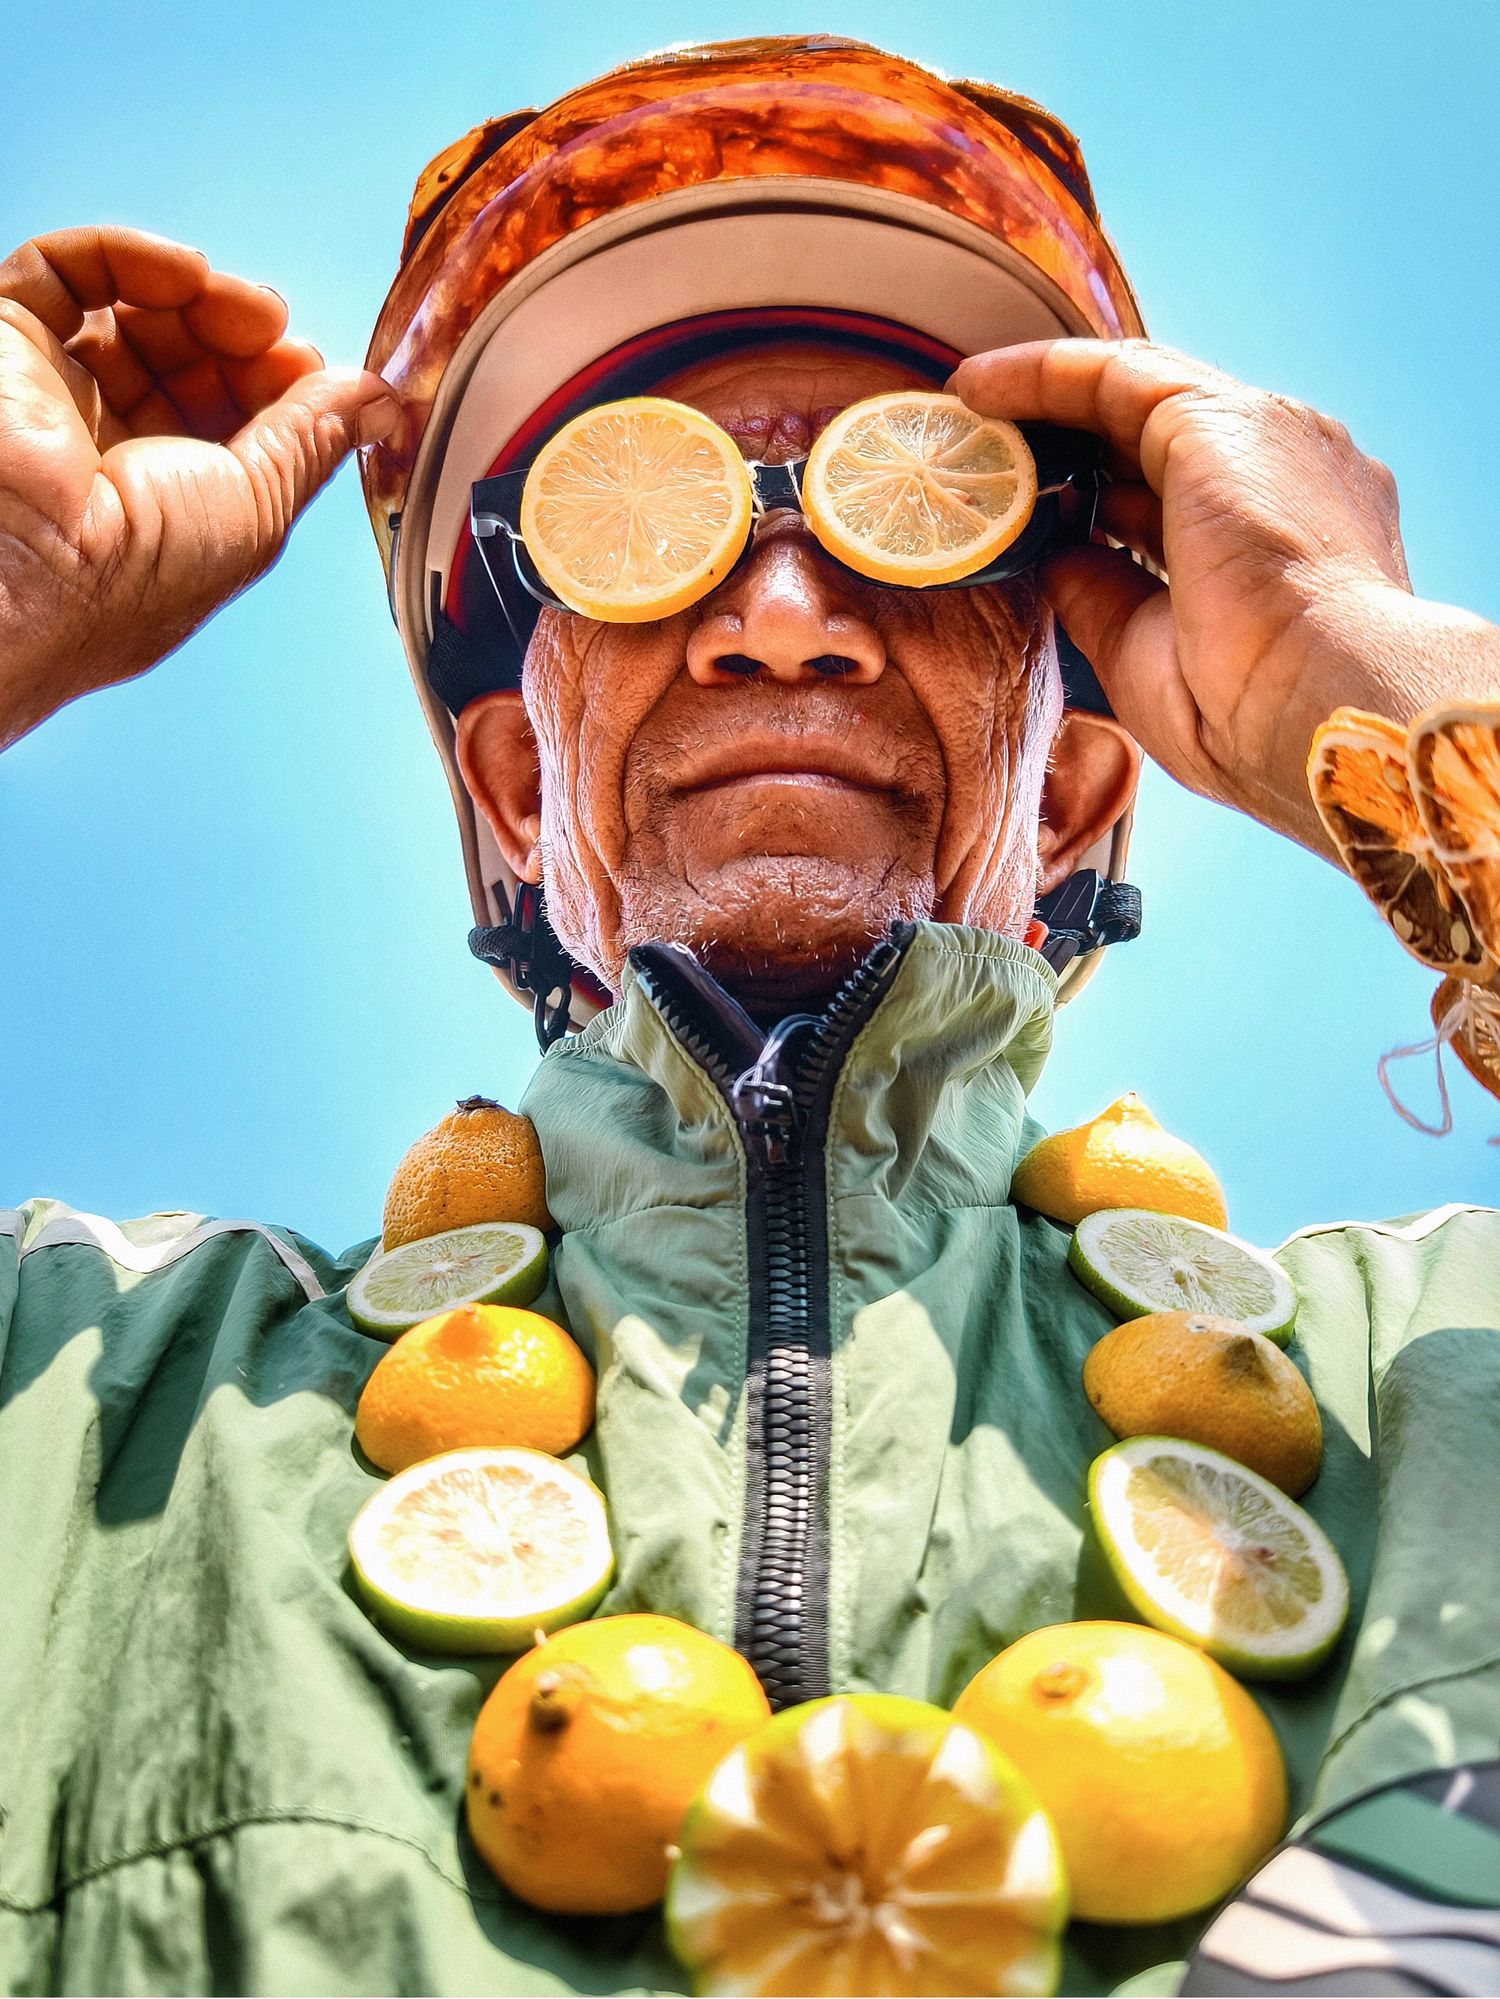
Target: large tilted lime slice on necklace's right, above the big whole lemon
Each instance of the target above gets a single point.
(1219, 1556)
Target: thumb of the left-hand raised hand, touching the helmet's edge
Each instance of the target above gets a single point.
(295, 445)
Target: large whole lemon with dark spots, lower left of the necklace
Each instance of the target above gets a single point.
(591, 1750)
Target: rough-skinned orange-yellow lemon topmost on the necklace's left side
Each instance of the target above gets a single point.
(477, 1164)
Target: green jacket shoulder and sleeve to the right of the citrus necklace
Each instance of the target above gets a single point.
(1421, 1408)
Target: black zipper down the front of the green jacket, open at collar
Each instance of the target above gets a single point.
(781, 1108)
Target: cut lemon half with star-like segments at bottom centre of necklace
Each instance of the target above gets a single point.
(867, 1846)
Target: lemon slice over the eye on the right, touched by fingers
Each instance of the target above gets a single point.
(915, 489)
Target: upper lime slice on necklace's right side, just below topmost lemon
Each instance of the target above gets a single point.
(1141, 1262)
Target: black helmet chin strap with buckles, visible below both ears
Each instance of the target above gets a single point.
(1083, 915)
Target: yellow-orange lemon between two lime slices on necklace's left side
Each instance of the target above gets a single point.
(475, 1376)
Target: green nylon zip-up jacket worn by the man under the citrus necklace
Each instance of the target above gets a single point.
(841, 1424)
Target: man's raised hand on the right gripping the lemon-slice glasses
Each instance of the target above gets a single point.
(1281, 541)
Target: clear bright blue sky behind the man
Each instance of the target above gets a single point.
(233, 965)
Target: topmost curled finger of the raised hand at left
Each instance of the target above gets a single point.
(69, 273)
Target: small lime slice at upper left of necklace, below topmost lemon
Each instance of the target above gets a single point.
(489, 1264)
